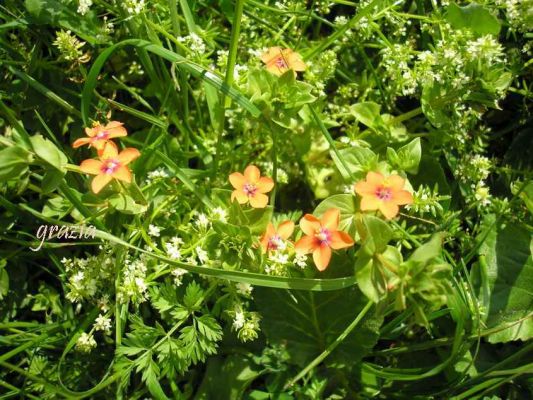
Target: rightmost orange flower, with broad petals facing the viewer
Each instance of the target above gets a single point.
(383, 194)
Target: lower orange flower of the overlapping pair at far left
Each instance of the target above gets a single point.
(111, 165)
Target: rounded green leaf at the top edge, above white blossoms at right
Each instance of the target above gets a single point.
(474, 17)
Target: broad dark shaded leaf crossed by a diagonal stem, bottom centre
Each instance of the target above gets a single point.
(306, 323)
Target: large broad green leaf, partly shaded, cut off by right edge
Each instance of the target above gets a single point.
(504, 279)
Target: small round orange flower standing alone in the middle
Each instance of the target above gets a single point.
(251, 187)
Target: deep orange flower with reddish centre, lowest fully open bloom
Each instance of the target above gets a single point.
(321, 236)
